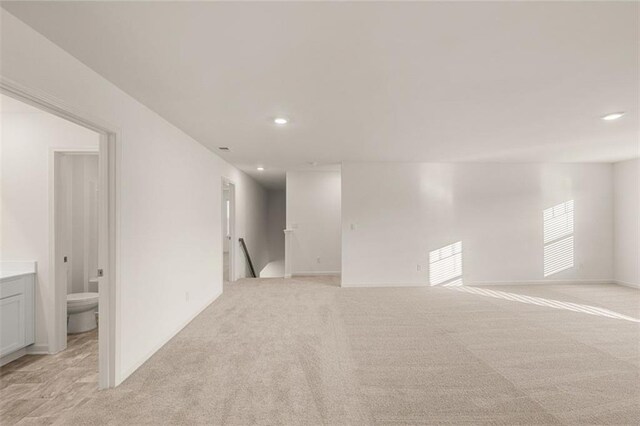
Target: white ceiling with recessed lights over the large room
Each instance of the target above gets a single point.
(369, 81)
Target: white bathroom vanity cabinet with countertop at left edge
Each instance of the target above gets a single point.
(17, 313)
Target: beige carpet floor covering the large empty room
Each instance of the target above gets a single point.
(305, 351)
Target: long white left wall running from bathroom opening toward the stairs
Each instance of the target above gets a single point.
(169, 225)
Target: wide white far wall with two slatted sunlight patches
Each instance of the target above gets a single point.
(402, 211)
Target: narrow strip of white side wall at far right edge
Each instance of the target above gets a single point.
(626, 253)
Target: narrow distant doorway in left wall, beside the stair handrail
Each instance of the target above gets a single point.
(228, 231)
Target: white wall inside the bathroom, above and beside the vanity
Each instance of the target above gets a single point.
(27, 141)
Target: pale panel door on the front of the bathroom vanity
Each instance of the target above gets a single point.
(12, 324)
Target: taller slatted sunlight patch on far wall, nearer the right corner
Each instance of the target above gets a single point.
(558, 238)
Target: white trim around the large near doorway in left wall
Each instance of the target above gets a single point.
(109, 350)
